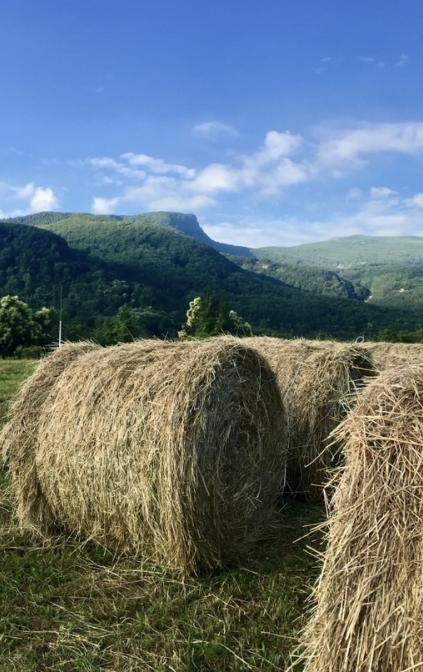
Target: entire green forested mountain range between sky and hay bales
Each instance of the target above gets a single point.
(159, 261)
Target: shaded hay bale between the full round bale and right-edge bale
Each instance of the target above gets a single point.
(319, 381)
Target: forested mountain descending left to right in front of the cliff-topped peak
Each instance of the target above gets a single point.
(104, 263)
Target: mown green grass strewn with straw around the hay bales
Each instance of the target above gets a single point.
(65, 606)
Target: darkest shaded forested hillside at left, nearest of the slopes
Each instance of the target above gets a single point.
(38, 266)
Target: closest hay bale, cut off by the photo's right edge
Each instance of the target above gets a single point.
(368, 614)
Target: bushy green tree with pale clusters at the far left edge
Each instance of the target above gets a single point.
(20, 326)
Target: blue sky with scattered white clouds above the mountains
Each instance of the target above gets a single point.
(275, 122)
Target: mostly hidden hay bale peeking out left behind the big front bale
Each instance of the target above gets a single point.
(18, 439)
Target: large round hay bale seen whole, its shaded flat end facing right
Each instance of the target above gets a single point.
(172, 450)
